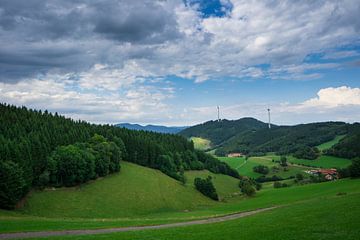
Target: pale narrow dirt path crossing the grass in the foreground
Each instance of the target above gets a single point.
(126, 229)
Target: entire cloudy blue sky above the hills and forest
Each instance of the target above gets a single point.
(172, 62)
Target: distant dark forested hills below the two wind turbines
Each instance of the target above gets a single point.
(253, 137)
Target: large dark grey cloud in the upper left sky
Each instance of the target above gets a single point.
(65, 35)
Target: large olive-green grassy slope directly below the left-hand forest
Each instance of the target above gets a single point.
(134, 191)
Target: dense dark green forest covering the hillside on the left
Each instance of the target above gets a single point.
(41, 149)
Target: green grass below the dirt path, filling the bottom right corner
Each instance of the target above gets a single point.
(335, 217)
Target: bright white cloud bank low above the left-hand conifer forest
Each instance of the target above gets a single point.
(136, 103)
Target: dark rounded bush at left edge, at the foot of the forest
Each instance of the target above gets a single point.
(12, 184)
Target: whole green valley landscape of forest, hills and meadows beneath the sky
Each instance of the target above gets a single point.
(131, 184)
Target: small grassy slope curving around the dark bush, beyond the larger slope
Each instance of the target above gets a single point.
(226, 186)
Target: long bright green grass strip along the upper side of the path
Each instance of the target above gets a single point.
(10, 221)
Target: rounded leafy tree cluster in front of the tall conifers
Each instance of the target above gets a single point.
(78, 163)
